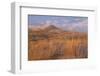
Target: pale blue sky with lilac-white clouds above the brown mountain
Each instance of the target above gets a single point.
(75, 23)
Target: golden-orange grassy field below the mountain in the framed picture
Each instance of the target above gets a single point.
(46, 45)
